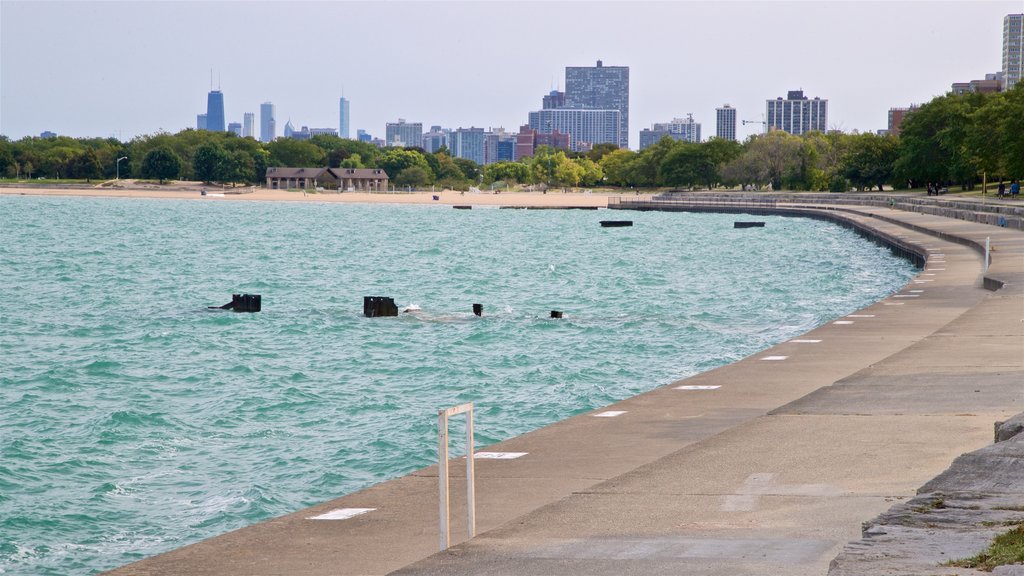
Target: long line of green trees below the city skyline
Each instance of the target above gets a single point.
(954, 140)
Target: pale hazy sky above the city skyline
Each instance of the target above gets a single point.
(124, 69)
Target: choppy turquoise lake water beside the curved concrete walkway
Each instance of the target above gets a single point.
(134, 421)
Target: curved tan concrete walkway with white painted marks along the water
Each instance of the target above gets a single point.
(769, 466)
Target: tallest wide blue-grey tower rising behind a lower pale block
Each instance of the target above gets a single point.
(602, 88)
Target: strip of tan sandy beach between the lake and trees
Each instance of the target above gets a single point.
(182, 191)
